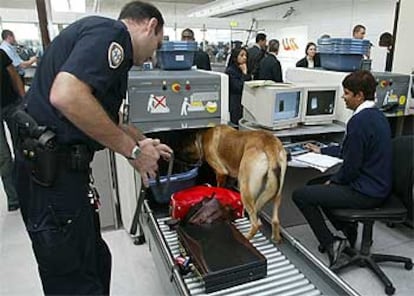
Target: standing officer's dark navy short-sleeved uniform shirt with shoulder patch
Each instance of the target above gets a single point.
(98, 51)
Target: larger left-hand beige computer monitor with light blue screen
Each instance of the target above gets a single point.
(271, 105)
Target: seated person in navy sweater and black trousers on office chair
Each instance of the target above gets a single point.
(364, 179)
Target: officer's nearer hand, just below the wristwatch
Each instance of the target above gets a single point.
(147, 161)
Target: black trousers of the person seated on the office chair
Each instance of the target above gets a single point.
(316, 197)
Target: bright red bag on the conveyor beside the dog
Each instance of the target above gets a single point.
(182, 201)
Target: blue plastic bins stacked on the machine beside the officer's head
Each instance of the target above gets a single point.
(177, 55)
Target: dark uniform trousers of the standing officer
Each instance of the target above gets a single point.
(72, 257)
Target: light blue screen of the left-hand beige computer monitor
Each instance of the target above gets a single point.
(286, 105)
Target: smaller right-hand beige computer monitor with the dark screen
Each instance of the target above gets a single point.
(319, 104)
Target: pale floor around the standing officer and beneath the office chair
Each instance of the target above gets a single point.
(134, 272)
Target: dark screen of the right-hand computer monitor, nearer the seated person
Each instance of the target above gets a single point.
(320, 102)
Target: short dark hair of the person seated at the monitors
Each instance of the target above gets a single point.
(361, 81)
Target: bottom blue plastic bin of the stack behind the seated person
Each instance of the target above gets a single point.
(341, 62)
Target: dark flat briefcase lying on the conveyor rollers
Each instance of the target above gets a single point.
(221, 254)
